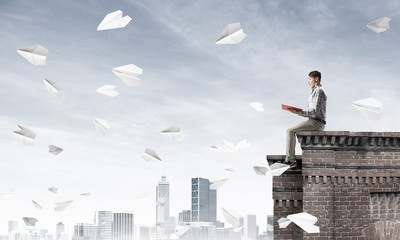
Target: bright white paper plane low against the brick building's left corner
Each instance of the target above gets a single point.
(303, 220)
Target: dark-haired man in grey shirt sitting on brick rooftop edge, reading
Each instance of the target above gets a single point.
(316, 114)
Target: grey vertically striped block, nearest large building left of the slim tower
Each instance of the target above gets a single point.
(123, 226)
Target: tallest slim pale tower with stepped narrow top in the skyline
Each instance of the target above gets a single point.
(162, 205)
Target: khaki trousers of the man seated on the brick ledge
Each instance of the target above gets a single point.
(309, 125)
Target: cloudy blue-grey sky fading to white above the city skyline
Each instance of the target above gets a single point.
(188, 81)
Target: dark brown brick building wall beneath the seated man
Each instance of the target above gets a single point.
(349, 181)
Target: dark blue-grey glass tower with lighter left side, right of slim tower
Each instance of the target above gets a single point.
(204, 201)
